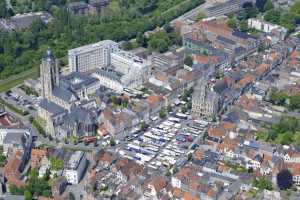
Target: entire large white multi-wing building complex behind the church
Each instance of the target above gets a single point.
(114, 68)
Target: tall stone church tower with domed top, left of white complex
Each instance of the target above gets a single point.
(49, 74)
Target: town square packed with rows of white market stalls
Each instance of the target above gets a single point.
(165, 144)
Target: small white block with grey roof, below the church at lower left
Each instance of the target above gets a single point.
(76, 167)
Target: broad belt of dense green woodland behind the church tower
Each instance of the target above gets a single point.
(121, 20)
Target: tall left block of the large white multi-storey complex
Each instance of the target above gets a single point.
(92, 56)
